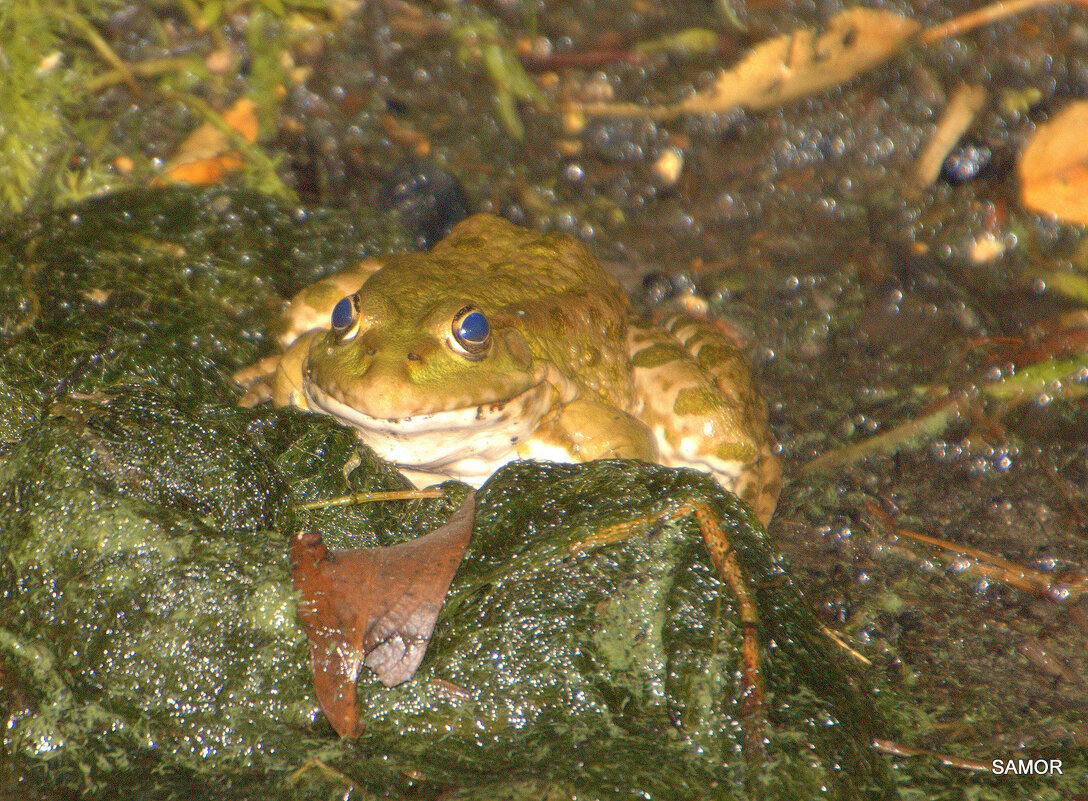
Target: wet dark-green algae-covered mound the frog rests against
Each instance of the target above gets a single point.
(149, 636)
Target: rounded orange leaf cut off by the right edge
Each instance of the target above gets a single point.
(1054, 168)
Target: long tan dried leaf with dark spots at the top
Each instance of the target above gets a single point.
(794, 66)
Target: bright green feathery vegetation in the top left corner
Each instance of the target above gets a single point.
(61, 138)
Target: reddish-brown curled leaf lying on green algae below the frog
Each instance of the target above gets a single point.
(373, 607)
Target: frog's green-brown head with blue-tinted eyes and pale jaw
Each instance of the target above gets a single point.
(428, 379)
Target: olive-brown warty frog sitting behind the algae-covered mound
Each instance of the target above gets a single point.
(503, 343)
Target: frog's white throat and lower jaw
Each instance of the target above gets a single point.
(468, 443)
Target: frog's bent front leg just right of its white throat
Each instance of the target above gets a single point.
(588, 429)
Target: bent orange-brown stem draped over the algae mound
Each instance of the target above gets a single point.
(752, 703)
